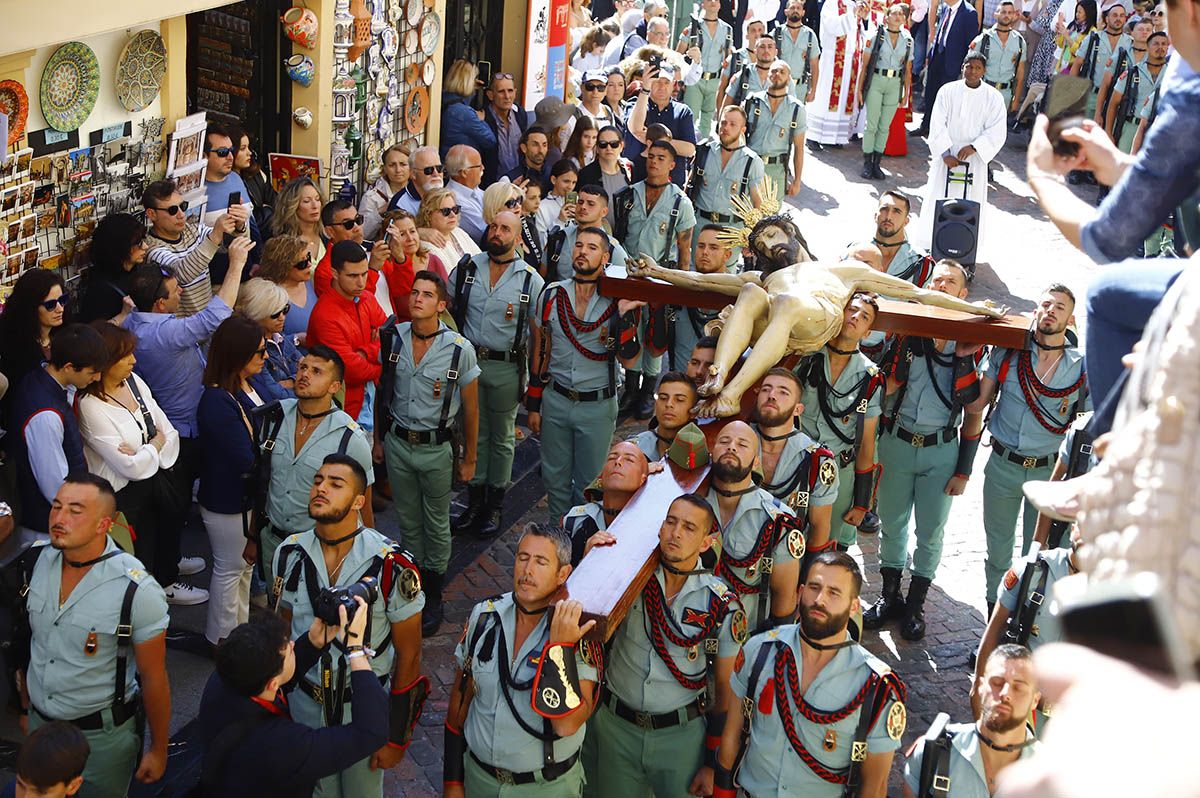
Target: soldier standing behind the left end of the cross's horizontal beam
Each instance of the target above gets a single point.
(655, 218)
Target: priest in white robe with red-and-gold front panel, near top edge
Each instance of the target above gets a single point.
(833, 112)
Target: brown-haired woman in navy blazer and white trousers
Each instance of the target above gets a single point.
(237, 355)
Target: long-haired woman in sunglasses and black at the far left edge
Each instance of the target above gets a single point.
(37, 308)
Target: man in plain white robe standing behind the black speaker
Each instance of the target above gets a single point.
(968, 129)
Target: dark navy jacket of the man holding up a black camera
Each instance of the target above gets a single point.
(285, 759)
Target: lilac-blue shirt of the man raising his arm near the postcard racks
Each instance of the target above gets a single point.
(171, 359)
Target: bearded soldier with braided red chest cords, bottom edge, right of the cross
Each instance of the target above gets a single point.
(841, 711)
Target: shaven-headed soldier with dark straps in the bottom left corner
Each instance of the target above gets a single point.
(99, 643)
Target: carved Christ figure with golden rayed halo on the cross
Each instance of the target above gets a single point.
(794, 307)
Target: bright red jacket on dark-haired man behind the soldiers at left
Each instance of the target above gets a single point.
(352, 331)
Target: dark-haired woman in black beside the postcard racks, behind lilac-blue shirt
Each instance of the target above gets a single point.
(118, 247)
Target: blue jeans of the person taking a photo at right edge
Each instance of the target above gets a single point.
(1120, 303)
